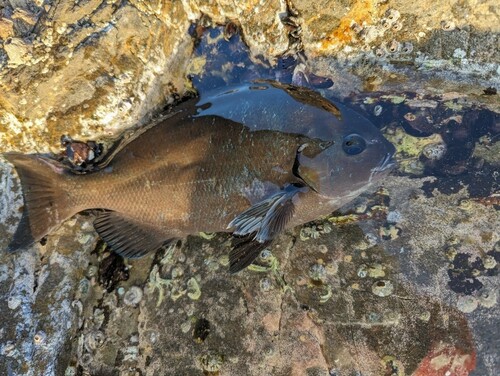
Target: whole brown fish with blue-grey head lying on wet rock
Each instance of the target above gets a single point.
(252, 160)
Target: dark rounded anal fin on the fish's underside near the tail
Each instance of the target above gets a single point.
(128, 237)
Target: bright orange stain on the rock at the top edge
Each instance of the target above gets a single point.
(361, 11)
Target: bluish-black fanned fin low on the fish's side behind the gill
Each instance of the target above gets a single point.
(257, 226)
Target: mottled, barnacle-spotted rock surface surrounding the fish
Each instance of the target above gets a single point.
(402, 287)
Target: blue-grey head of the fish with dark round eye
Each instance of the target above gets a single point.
(353, 158)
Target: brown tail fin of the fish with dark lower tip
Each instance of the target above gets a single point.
(45, 201)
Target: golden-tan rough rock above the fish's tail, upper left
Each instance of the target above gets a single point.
(89, 65)
